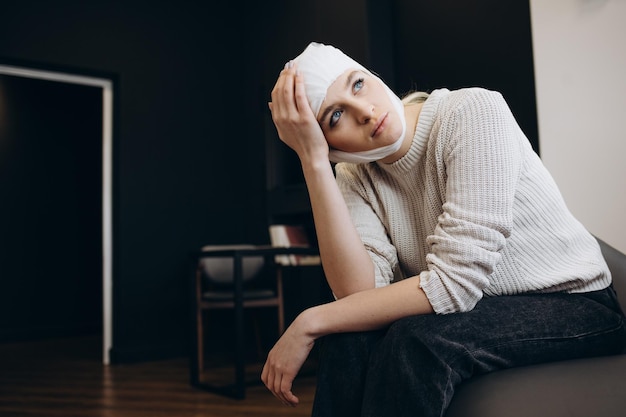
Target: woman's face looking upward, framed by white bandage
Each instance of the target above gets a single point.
(358, 115)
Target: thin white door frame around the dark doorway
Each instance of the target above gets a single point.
(107, 85)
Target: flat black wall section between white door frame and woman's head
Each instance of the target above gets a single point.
(188, 142)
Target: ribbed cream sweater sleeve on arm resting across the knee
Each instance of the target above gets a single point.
(478, 163)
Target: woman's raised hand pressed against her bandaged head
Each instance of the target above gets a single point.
(294, 120)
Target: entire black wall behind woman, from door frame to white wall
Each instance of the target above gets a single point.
(192, 130)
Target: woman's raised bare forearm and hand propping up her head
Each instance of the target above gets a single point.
(347, 265)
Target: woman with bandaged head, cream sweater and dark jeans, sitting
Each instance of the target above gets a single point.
(445, 241)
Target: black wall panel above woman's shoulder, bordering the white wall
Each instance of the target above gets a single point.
(475, 43)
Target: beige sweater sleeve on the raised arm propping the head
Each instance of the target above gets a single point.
(360, 200)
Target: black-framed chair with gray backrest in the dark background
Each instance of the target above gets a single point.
(223, 278)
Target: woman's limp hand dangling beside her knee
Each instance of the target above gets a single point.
(285, 360)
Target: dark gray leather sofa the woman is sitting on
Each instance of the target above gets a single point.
(593, 387)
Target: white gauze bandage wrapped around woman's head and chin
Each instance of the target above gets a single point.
(320, 66)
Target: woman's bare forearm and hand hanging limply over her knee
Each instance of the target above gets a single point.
(362, 311)
